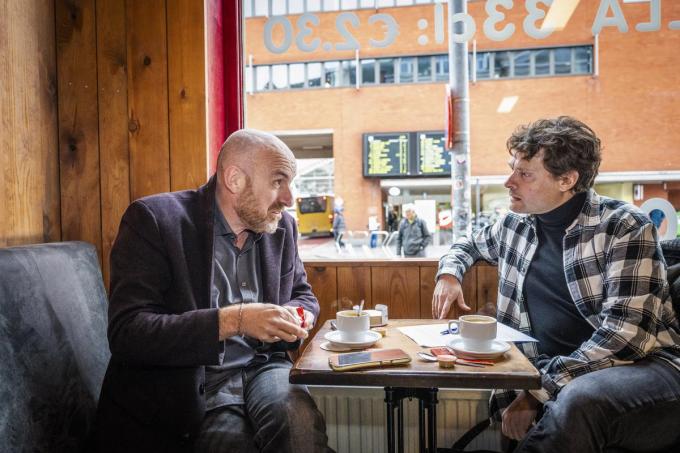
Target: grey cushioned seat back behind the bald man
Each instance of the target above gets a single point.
(53, 346)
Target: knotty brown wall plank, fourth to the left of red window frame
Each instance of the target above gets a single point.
(78, 121)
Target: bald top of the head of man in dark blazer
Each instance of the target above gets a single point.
(245, 147)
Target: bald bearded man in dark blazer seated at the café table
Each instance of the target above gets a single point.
(205, 287)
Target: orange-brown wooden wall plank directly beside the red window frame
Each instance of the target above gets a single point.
(186, 95)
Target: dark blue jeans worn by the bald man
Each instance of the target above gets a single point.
(277, 416)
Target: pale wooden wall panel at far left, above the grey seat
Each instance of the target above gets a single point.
(29, 172)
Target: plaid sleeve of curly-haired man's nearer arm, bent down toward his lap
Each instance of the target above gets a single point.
(634, 289)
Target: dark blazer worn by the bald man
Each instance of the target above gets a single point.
(162, 331)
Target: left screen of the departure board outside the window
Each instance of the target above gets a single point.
(386, 155)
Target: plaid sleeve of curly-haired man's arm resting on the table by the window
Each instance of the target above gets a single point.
(482, 245)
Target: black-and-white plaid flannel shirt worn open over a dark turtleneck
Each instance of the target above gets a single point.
(616, 276)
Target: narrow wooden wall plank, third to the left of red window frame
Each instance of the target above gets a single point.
(113, 125)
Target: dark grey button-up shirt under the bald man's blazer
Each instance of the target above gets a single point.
(236, 279)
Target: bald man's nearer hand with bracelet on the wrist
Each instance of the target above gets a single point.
(266, 322)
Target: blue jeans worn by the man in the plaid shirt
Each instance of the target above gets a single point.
(626, 408)
